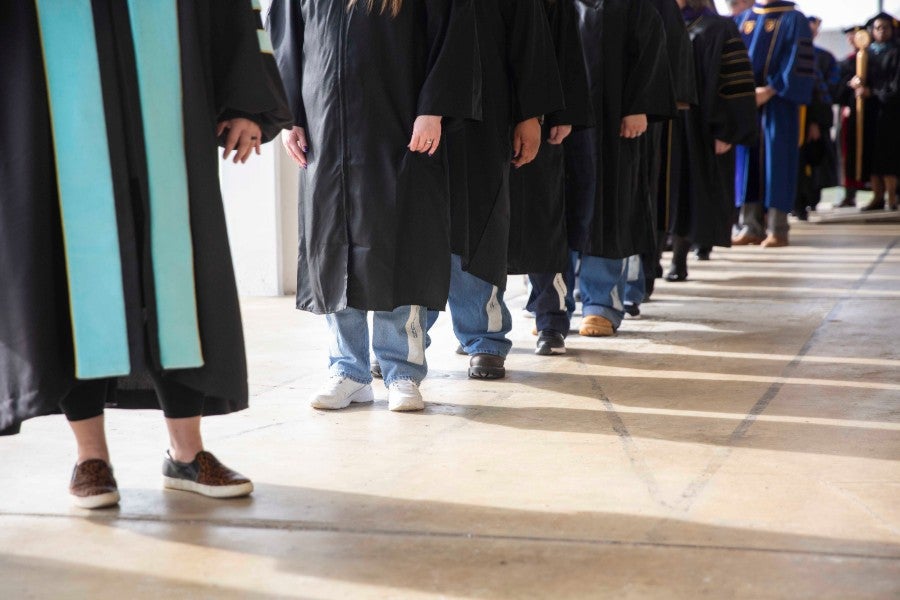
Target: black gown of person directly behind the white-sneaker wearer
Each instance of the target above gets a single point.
(521, 81)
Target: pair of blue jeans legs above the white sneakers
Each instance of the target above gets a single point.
(398, 341)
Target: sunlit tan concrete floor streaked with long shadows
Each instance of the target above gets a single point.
(740, 441)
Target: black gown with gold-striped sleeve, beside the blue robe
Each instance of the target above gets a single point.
(704, 208)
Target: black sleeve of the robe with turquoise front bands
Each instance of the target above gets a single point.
(245, 79)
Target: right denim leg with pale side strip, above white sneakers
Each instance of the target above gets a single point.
(398, 340)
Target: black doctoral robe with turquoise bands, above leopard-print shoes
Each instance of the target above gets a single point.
(225, 73)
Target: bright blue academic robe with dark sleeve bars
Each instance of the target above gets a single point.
(779, 40)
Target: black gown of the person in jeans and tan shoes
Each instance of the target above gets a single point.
(624, 46)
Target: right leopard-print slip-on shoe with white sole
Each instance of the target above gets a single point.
(205, 476)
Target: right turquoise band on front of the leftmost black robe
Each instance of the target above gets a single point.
(157, 48)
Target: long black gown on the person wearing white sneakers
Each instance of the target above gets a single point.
(374, 230)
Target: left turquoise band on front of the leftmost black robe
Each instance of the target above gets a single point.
(87, 201)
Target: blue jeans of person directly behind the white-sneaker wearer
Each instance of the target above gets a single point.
(480, 317)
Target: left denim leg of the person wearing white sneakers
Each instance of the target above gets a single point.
(348, 348)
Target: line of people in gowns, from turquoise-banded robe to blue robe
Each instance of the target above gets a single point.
(442, 145)
